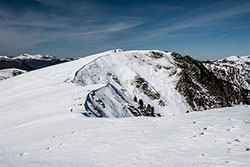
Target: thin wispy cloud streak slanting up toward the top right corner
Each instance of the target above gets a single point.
(209, 18)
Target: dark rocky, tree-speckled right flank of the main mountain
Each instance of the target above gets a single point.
(203, 90)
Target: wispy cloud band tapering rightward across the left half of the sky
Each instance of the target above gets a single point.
(33, 27)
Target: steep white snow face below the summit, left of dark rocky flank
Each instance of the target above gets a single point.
(146, 75)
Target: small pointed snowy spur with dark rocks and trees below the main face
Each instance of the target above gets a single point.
(110, 102)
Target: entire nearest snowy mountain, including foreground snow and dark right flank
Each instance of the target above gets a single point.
(44, 114)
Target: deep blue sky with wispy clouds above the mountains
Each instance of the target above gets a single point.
(203, 29)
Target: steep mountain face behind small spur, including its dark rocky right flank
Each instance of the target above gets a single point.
(168, 82)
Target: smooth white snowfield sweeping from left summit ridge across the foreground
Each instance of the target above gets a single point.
(37, 128)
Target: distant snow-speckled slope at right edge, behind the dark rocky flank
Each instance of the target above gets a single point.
(234, 69)
